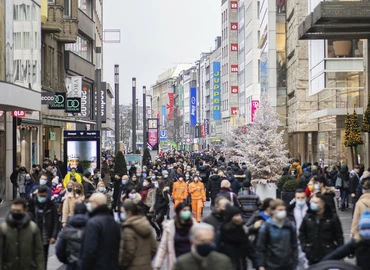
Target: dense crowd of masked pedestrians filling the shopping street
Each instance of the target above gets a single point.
(124, 221)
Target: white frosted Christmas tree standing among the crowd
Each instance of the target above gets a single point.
(260, 144)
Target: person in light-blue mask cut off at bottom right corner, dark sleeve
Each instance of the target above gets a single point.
(359, 245)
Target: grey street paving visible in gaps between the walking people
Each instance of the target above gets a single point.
(54, 264)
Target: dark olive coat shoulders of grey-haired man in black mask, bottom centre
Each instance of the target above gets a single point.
(215, 261)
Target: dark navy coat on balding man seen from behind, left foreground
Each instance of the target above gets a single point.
(101, 240)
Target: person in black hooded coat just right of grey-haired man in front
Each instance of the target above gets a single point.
(233, 239)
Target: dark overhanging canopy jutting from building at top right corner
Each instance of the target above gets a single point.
(337, 20)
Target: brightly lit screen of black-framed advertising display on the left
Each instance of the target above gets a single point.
(82, 155)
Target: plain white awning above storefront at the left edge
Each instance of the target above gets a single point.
(15, 97)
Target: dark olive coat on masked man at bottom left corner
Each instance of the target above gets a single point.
(21, 247)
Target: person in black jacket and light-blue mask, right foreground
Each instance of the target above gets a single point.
(321, 231)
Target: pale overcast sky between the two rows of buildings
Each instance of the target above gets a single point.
(155, 35)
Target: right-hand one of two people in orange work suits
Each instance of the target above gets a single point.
(198, 197)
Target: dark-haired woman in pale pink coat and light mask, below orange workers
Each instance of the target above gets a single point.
(175, 240)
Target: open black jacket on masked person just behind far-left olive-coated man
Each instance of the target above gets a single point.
(50, 217)
